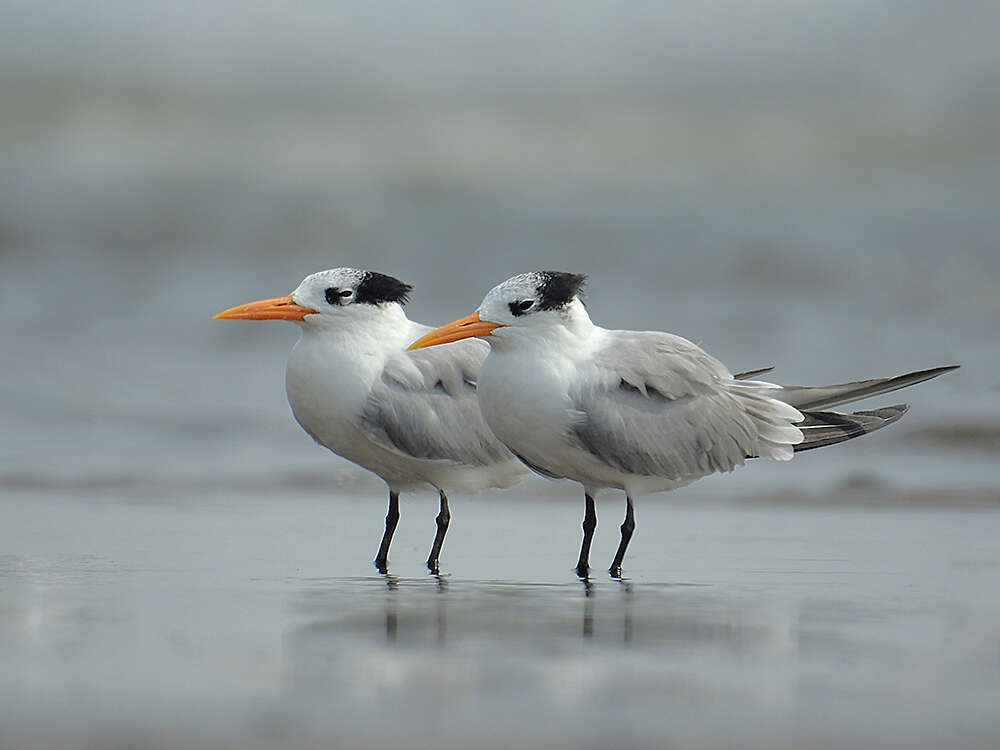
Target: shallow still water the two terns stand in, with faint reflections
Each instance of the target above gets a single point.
(249, 621)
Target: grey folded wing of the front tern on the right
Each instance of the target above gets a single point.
(658, 405)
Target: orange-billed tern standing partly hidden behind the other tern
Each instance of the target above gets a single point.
(412, 418)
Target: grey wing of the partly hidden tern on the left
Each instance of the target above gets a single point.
(424, 405)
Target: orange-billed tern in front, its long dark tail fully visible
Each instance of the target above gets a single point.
(639, 411)
